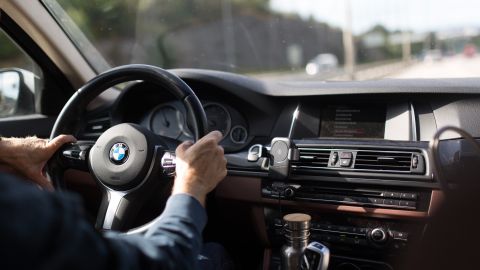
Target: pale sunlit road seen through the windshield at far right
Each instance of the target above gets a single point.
(449, 67)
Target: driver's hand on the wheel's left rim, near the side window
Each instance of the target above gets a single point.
(28, 156)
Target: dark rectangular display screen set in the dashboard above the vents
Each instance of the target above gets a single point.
(353, 122)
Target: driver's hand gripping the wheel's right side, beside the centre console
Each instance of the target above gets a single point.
(200, 166)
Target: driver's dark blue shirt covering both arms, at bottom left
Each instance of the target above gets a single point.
(43, 230)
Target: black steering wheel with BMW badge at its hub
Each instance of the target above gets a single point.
(128, 161)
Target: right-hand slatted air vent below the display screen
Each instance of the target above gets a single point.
(384, 161)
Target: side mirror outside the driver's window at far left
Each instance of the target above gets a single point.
(17, 95)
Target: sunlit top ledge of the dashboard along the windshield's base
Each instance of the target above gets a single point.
(335, 88)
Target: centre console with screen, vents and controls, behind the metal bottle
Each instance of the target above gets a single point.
(360, 173)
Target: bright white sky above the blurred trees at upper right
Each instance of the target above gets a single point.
(416, 15)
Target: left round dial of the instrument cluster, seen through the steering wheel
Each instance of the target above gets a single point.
(167, 121)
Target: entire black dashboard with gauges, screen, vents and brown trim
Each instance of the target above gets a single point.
(353, 155)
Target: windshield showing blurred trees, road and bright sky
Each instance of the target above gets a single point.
(280, 39)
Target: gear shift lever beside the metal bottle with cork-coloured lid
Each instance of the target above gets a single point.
(315, 257)
